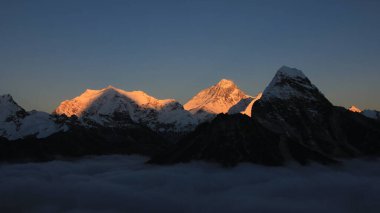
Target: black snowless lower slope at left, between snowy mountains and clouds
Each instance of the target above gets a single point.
(79, 141)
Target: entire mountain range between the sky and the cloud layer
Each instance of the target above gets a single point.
(290, 121)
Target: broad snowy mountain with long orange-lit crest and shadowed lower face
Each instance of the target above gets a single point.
(112, 107)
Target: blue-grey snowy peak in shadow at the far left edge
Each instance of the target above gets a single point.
(16, 123)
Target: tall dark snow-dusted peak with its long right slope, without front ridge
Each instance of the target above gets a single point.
(294, 108)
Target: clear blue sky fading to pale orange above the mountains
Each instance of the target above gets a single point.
(53, 50)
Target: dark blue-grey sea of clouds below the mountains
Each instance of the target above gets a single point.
(126, 184)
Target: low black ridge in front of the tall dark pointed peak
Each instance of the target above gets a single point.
(231, 139)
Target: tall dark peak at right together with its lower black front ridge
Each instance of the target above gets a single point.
(293, 121)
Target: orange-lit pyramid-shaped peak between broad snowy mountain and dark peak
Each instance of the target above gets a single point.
(216, 99)
